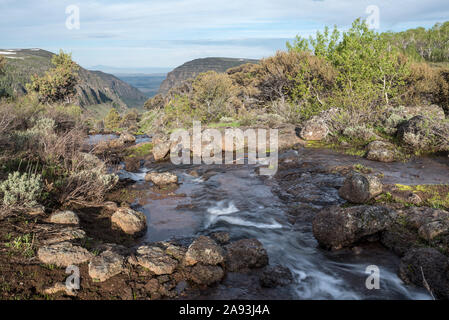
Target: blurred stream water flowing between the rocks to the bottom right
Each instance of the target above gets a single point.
(235, 199)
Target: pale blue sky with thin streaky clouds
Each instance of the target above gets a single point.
(166, 33)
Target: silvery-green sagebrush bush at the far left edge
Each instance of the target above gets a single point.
(21, 190)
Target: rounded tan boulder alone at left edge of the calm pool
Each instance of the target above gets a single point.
(130, 221)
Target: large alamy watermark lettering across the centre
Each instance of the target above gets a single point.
(208, 146)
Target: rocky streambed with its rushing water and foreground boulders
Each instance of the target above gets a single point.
(225, 232)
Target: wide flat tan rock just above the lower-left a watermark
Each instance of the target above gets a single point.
(63, 254)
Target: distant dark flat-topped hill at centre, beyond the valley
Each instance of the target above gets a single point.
(193, 68)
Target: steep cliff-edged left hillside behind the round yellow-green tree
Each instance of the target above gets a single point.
(95, 87)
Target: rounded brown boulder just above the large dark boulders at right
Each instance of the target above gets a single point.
(360, 188)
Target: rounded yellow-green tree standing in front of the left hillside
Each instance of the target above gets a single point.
(59, 83)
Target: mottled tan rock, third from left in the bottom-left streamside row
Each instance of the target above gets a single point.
(156, 260)
